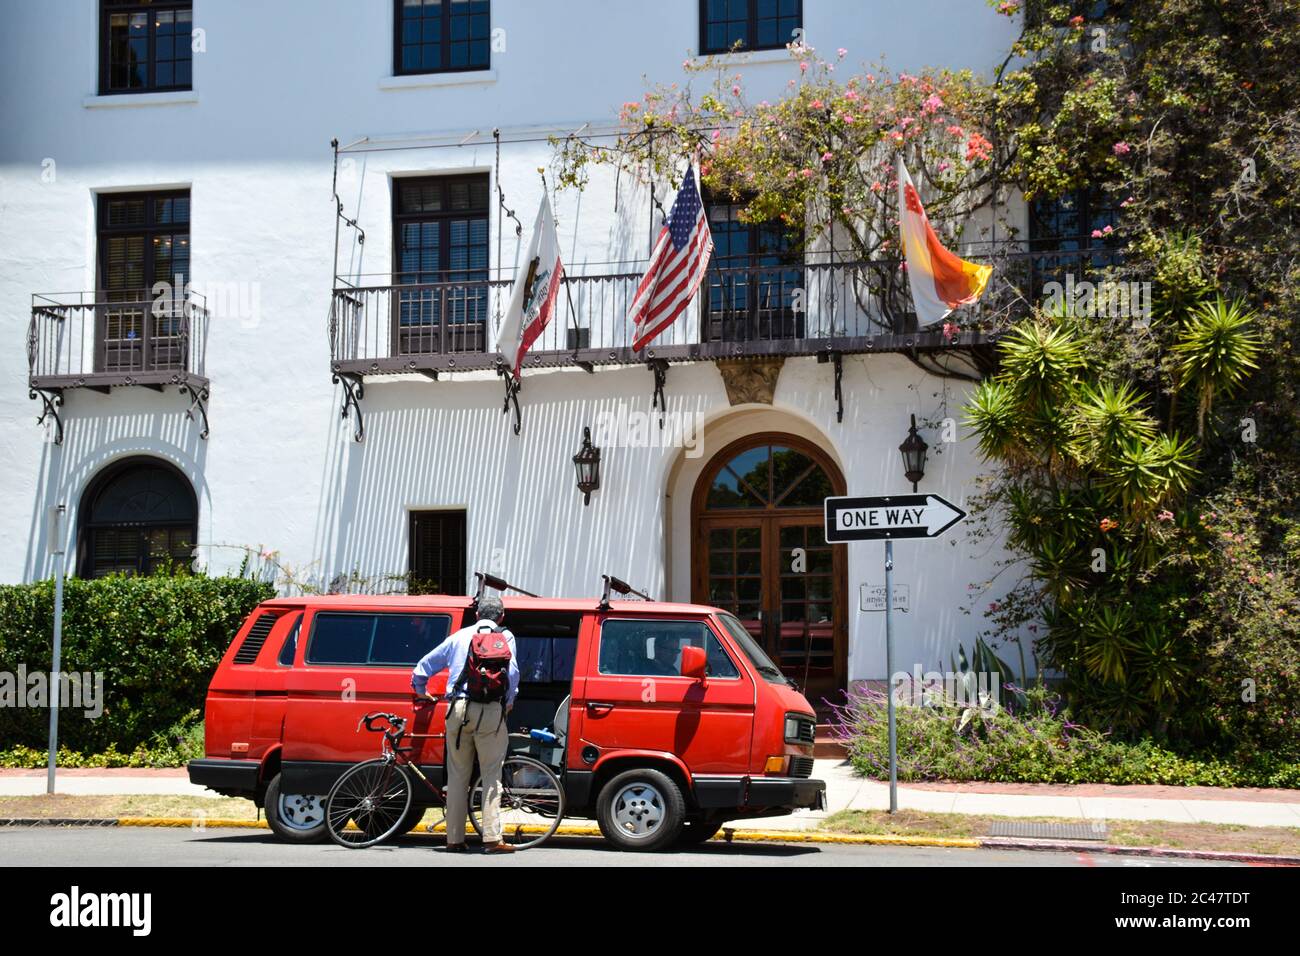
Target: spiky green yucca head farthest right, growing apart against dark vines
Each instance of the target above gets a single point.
(1216, 352)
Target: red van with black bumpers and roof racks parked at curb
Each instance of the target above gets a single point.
(710, 737)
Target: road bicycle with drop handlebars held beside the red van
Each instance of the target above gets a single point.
(370, 803)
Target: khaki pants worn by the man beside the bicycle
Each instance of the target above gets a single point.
(487, 737)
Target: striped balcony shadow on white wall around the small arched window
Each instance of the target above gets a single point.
(98, 431)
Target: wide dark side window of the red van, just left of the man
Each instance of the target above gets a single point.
(375, 639)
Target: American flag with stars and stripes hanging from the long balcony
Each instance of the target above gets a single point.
(677, 267)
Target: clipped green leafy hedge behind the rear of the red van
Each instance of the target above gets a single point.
(157, 641)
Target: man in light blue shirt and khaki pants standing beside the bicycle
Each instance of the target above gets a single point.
(474, 728)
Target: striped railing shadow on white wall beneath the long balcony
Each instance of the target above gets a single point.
(526, 517)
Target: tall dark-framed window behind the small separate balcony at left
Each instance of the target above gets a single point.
(144, 240)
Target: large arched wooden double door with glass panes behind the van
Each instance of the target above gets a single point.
(760, 552)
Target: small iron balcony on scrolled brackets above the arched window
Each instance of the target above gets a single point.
(102, 341)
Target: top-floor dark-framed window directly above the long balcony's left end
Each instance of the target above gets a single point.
(441, 36)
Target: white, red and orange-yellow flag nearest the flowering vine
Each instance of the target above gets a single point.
(939, 280)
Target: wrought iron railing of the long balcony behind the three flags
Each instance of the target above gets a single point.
(380, 327)
